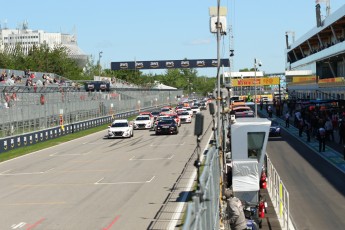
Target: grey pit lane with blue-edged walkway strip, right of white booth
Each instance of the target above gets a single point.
(315, 181)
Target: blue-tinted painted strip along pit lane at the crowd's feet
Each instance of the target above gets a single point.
(334, 152)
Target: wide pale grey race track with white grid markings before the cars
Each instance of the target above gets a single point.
(95, 183)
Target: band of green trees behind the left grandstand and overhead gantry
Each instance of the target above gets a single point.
(56, 60)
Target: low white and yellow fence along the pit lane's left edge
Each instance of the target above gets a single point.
(279, 196)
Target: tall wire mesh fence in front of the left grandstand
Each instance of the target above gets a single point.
(26, 110)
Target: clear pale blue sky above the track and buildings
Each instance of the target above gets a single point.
(136, 30)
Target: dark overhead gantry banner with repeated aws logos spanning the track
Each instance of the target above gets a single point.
(195, 63)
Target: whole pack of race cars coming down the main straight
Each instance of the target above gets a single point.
(165, 120)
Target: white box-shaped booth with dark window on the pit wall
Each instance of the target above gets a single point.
(249, 138)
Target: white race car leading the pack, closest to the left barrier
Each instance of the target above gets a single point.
(120, 128)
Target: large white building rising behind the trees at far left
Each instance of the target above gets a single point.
(28, 38)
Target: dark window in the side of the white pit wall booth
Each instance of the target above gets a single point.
(255, 144)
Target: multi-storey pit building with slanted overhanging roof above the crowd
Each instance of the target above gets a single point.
(315, 63)
